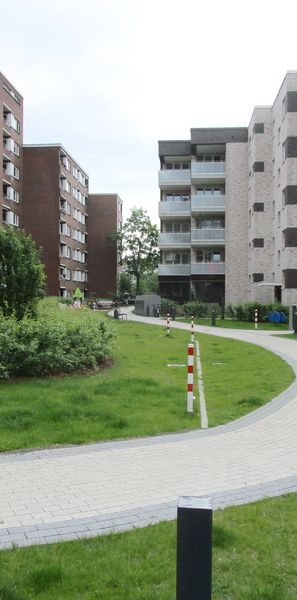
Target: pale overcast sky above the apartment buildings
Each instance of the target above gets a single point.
(109, 78)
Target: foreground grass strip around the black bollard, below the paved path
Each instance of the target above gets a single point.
(254, 558)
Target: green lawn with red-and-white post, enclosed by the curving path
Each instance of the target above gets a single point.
(139, 395)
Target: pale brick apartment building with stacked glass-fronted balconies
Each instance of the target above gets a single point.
(228, 208)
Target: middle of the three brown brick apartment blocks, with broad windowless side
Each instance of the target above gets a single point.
(55, 199)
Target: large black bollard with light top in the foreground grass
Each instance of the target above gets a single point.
(194, 548)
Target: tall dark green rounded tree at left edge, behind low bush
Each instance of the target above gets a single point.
(21, 273)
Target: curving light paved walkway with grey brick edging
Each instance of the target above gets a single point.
(82, 491)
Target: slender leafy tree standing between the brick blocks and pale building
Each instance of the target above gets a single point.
(138, 245)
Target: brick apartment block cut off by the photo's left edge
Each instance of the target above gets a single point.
(11, 115)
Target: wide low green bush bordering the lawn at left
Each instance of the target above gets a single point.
(53, 344)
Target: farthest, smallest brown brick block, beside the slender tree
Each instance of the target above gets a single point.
(105, 216)
